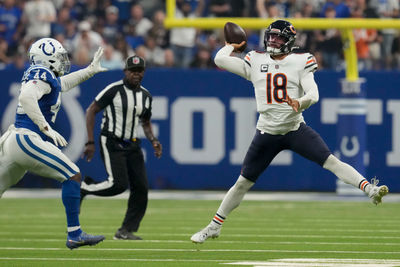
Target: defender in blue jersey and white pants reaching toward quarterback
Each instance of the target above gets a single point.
(31, 144)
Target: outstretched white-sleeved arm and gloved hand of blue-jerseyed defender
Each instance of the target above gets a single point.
(73, 79)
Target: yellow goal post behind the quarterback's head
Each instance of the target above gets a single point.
(346, 27)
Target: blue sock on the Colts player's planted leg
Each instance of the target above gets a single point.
(70, 194)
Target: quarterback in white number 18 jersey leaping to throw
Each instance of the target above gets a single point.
(284, 86)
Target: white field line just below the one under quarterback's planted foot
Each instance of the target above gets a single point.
(212, 250)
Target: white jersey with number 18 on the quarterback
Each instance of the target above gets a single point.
(273, 80)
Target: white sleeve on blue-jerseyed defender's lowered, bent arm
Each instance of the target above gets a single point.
(31, 92)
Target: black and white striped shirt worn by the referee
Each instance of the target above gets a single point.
(123, 108)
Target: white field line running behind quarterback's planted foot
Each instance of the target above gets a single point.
(223, 242)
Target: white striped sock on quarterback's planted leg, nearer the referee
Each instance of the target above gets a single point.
(231, 200)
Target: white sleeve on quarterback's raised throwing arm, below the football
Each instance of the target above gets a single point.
(232, 64)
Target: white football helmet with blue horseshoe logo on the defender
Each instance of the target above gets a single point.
(50, 53)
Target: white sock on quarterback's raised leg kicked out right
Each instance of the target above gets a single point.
(346, 173)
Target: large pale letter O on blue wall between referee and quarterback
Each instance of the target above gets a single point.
(213, 149)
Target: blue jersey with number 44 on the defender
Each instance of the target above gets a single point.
(49, 104)
